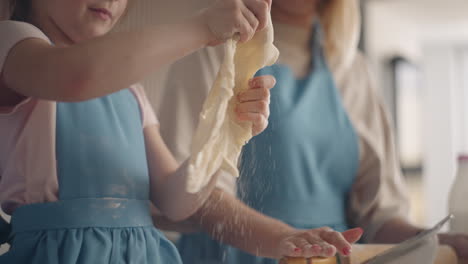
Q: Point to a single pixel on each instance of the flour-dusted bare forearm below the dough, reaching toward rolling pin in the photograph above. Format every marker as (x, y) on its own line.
(230, 221)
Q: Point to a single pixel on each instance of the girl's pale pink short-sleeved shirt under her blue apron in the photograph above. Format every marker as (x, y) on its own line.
(28, 172)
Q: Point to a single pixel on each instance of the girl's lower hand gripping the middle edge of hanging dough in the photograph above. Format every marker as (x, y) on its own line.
(254, 103)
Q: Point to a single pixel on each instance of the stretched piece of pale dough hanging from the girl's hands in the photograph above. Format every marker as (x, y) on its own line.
(219, 138)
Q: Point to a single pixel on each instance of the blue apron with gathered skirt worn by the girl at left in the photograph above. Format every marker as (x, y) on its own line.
(103, 214)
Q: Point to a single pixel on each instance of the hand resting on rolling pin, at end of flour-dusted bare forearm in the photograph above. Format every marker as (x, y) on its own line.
(321, 242)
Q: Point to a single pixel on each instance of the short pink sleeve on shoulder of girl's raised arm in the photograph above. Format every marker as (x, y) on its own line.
(12, 32)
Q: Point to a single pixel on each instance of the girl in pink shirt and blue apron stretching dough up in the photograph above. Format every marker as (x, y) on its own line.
(81, 157)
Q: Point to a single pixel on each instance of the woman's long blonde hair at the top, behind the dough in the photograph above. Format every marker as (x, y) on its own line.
(341, 22)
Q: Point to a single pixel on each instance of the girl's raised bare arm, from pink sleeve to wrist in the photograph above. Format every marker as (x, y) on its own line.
(99, 66)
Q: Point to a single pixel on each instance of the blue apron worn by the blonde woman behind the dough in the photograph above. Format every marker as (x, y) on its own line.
(301, 168)
